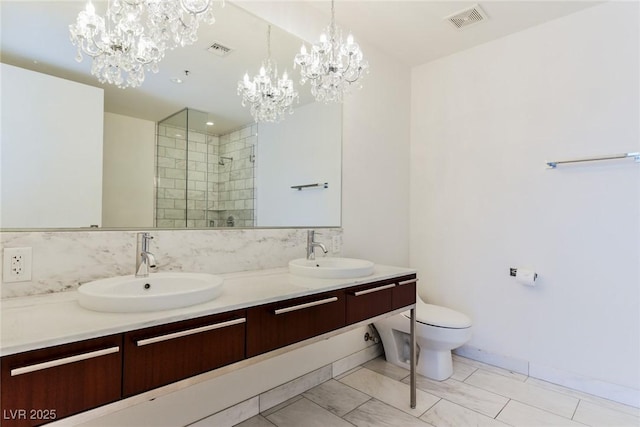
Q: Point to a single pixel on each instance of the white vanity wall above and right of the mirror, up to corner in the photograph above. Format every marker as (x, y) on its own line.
(375, 143)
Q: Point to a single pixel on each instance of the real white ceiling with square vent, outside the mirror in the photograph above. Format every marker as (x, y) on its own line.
(415, 32)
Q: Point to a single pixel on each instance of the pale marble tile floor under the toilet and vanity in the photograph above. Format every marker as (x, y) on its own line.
(376, 394)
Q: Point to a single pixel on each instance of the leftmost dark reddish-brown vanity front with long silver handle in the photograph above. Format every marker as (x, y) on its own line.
(44, 385)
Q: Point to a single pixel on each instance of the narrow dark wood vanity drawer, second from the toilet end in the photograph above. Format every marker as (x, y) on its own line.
(367, 301)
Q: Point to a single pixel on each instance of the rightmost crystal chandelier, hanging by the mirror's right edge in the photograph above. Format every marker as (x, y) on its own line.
(332, 66)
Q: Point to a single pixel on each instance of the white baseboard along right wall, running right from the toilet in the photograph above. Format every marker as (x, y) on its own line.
(606, 390)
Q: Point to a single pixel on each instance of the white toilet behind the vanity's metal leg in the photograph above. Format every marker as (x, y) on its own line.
(438, 331)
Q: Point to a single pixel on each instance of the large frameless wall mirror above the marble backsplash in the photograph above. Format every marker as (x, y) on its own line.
(180, 151)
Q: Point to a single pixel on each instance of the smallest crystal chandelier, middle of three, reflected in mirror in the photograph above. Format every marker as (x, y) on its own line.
(269, 97)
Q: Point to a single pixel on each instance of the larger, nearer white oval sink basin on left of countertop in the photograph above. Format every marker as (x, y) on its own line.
(159, 291)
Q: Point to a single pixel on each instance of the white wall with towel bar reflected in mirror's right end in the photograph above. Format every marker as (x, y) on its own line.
(303, 149)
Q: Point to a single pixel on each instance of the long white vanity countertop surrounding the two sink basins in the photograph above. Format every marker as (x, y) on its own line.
(34, 322)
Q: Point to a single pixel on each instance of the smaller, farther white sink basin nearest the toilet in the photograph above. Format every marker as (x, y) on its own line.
(331, 268)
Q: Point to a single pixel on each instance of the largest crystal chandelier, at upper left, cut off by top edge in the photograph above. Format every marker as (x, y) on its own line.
(134, 34)
